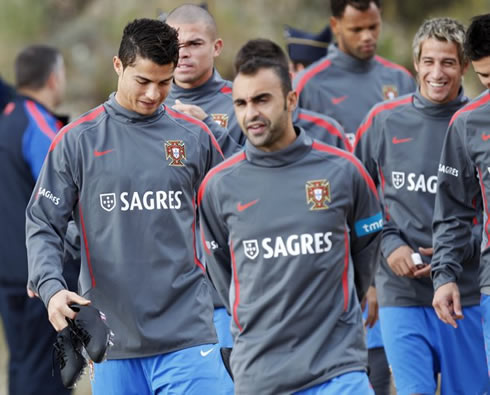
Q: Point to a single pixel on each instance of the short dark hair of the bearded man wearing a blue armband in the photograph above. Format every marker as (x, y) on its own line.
(260, 54)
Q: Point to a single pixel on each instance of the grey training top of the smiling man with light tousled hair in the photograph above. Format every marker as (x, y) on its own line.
(400, 142)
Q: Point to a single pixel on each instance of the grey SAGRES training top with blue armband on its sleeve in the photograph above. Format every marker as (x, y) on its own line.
(286, 233)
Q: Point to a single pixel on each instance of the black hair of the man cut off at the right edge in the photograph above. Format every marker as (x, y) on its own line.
(477, 39)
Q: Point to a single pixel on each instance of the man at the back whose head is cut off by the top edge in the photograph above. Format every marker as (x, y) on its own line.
(352, 78)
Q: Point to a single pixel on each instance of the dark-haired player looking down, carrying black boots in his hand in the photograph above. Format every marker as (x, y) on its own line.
(129, 171)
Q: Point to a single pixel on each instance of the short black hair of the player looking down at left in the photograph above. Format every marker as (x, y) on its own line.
(150, 39)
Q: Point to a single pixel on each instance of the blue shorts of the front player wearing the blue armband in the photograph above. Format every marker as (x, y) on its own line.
(352, 383)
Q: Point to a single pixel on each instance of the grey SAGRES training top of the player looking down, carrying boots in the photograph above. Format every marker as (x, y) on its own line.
(131, 181)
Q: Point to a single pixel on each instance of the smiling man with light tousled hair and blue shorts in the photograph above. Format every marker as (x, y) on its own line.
(400, 142)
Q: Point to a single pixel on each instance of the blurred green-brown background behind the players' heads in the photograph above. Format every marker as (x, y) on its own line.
(88, 32)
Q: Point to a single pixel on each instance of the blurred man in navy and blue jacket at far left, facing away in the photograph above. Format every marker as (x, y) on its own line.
(27, 128)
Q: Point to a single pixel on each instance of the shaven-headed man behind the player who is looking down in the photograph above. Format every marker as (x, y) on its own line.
(198, 89)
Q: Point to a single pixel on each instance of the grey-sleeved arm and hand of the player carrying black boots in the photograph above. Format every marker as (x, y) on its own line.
(47, 215)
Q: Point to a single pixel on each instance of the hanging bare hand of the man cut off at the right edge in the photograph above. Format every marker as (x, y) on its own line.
(447, 304)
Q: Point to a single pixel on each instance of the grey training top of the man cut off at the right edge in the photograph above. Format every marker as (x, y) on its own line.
(464, 176)
